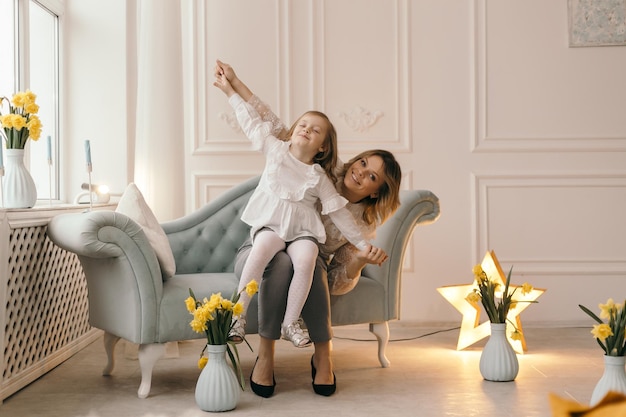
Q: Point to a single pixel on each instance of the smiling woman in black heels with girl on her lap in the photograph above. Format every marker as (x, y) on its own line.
(371, 183)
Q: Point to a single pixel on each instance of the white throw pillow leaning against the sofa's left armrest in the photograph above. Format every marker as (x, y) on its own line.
(133, 205)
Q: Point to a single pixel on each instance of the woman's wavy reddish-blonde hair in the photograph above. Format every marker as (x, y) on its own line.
(379, 209)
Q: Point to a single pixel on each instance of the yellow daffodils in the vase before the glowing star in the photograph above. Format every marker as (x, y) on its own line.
(497, 303)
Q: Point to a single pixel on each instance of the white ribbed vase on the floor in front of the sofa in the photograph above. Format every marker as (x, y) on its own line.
(217, 388)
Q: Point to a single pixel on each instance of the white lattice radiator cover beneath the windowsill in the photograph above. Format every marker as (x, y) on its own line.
(44, 311)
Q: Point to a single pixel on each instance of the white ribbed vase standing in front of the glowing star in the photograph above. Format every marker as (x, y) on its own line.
(498, 361)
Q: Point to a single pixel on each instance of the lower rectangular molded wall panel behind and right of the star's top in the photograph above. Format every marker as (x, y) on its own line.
(526, 218)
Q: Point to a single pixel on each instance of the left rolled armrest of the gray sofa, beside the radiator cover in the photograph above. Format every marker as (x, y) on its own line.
(122, 271)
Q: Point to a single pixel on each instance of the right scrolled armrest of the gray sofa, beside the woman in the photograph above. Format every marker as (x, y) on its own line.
(417, 207)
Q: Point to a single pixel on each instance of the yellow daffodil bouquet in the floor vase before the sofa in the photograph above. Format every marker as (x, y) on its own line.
(214, 317)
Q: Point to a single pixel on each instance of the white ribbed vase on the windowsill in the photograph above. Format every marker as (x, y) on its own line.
(18, 187)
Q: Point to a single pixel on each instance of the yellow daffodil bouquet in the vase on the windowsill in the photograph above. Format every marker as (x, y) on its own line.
(21, 122)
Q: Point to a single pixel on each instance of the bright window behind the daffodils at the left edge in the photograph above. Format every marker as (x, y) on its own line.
(30, 32)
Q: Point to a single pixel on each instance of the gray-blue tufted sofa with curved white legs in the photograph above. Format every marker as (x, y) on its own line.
(129, 299)
